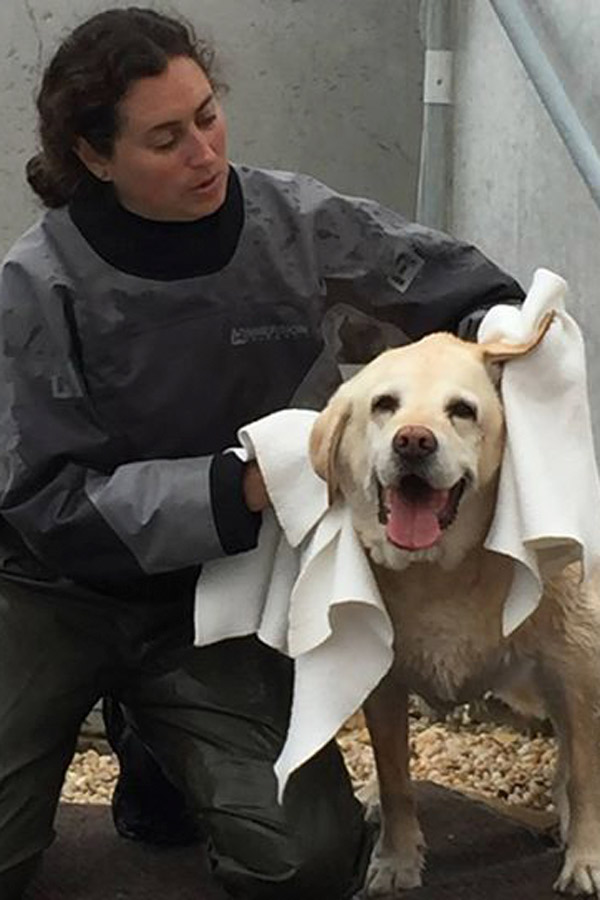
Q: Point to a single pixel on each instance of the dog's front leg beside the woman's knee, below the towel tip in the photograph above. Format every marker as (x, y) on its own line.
(398, 856)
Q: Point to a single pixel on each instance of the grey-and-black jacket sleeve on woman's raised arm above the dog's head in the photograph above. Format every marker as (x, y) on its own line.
(415, 278)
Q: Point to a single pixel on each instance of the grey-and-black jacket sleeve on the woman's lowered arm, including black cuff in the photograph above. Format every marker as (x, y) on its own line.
(67, 488)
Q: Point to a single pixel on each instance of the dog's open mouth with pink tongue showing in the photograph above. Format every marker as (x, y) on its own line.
(415, 514)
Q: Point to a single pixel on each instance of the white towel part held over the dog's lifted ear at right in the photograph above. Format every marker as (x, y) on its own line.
(548, 507)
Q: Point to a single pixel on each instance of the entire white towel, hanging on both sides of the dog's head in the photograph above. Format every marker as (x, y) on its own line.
(307, 589)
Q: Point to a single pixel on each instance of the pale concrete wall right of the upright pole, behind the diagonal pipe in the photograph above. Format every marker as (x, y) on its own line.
(516, 191)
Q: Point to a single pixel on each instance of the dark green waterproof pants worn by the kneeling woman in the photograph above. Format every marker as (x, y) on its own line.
(214, 718)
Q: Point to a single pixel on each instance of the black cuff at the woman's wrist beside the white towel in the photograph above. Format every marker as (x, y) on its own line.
(236, 525)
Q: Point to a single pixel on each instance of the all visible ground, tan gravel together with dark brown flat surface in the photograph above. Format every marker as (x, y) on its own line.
(500, 848)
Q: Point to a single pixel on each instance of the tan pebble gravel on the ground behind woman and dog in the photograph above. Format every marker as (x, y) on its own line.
(491, 760)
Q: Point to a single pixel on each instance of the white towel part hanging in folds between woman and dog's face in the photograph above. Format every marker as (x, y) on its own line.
(306, 590)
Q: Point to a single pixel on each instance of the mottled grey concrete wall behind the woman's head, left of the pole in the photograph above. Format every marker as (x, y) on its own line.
(330, 87)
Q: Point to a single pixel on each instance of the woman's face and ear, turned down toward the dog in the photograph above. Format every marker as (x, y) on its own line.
(170, 157)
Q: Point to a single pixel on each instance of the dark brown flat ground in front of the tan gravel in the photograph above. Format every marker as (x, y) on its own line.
(474, 852)
